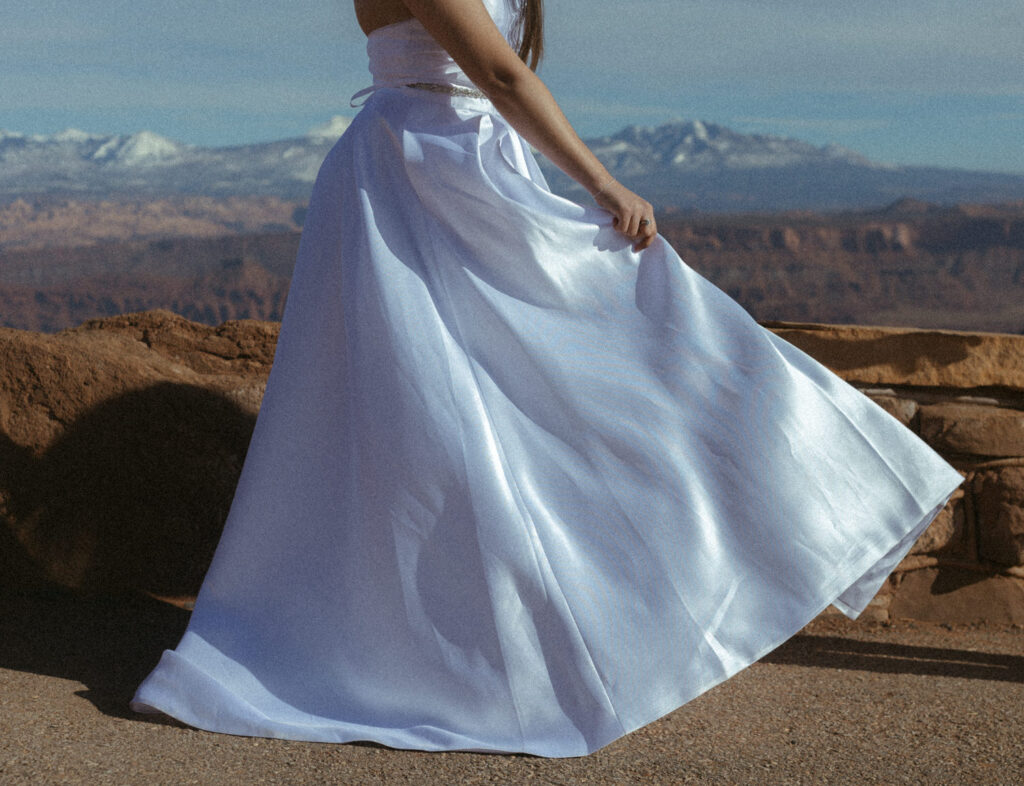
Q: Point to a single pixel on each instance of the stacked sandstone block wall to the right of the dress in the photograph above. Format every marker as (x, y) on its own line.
(964, 395)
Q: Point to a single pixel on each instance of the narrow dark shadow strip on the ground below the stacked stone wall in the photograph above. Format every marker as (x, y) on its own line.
(838, 652)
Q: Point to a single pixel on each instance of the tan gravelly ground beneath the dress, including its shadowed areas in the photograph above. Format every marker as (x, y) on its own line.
(842, 703)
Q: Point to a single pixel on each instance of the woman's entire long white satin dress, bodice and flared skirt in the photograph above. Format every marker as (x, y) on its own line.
(514, 487)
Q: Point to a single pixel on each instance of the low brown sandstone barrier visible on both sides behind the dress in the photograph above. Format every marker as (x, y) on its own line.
(121, 443)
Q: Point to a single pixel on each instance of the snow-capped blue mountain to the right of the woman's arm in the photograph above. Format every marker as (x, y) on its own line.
(703, 166)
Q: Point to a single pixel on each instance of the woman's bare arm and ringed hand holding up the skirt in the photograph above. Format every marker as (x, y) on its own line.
(466, 31)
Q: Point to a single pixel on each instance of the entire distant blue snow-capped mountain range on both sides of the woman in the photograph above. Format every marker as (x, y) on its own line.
(690, 165)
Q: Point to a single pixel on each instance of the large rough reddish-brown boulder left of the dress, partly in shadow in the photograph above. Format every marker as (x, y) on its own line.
(121, 443)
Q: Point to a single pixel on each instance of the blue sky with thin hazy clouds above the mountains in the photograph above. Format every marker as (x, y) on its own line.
(923, 82)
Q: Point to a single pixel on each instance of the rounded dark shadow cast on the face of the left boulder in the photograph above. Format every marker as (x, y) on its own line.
(134, 495)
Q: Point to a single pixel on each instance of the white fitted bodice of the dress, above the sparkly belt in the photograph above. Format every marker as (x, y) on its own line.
(405, 53)
